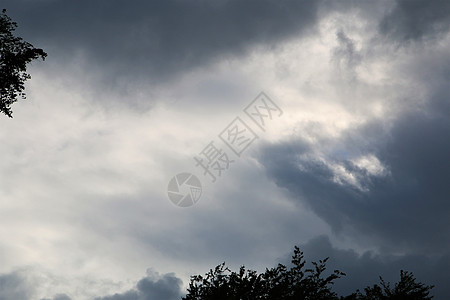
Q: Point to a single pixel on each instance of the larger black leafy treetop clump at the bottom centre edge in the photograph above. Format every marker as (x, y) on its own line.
(276, 283)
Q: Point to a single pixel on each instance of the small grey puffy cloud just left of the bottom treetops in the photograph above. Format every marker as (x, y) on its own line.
(167, 287)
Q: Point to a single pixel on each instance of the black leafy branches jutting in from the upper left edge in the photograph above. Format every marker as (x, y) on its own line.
(15, 54)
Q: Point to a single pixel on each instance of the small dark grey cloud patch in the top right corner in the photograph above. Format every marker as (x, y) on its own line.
(416, 19)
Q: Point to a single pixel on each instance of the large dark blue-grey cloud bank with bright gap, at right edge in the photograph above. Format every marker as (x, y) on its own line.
(406, 211)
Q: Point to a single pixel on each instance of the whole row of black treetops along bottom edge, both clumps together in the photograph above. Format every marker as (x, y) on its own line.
(296, 282)
